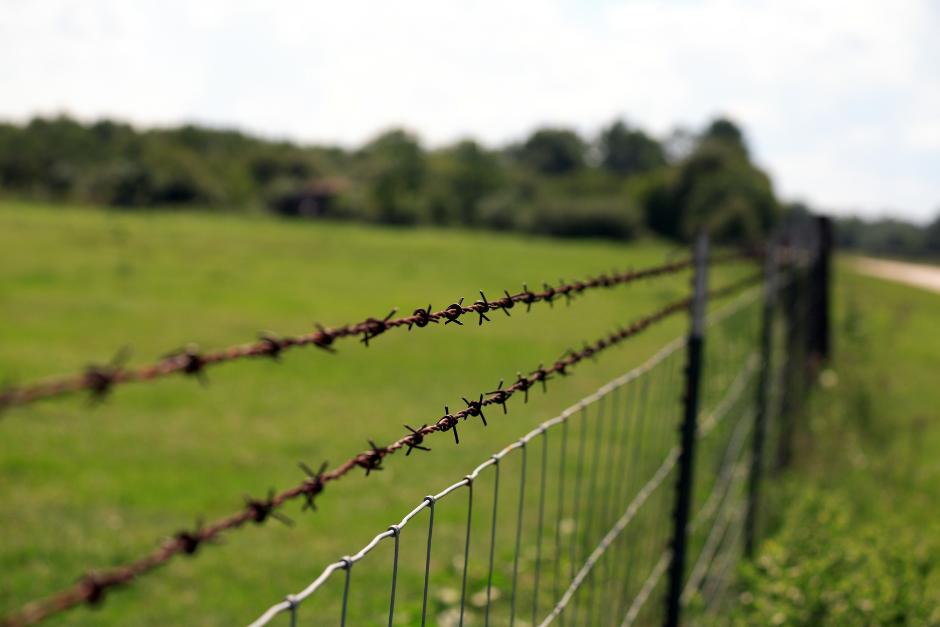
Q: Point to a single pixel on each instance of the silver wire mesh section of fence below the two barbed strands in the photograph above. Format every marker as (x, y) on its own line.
(572, 523)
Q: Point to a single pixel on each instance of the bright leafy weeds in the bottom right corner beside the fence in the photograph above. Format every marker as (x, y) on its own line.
(826, 567)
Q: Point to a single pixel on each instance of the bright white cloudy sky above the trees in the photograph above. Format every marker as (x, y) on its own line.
(840, 100)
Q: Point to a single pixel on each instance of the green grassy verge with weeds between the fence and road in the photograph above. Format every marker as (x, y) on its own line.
(858, 540)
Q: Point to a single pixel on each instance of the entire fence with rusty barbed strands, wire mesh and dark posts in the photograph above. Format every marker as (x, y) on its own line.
(575, 522)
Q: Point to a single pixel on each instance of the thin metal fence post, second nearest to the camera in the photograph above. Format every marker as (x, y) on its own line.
(763, 390)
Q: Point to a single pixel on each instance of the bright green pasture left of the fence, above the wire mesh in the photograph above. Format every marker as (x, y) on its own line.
(92, 486)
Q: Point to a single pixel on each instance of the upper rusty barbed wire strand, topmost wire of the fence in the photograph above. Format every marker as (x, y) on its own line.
(99, 380)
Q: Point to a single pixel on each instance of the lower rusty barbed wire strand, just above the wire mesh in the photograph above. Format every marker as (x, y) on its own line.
(92, 587)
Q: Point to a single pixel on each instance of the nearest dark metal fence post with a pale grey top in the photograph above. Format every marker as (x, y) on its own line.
(687, 431)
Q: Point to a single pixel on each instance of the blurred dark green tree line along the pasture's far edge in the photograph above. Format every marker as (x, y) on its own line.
(618, 184)
